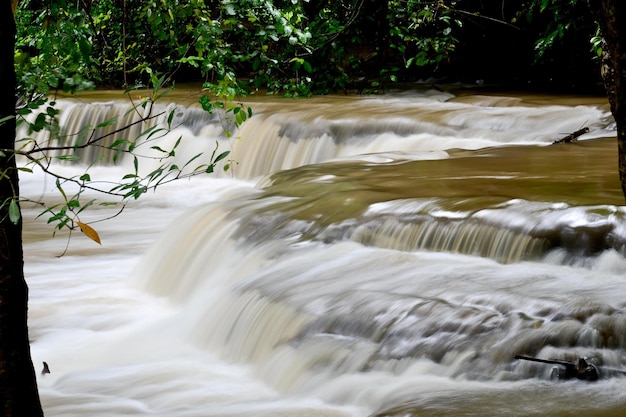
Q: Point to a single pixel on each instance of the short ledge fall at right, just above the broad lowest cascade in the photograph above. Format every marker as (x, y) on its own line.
(509, 233)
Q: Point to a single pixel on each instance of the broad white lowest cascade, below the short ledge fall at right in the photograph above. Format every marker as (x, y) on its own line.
(303, 313)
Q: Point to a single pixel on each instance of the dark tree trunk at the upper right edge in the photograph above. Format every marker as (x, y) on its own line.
(610, 14)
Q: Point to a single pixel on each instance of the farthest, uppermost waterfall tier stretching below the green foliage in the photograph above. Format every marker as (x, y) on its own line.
(306, 132)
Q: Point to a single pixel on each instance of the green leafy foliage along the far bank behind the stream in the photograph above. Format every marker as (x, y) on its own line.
(291, 47)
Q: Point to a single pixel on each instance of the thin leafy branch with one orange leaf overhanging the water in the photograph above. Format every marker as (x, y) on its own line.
(41, 115)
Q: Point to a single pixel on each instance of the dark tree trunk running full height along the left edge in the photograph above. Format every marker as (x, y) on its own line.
(18, 385)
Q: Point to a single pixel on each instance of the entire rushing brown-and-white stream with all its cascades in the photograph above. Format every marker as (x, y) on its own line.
(365, 256)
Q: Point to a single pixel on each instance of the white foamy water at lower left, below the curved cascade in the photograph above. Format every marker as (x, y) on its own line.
(114, 350)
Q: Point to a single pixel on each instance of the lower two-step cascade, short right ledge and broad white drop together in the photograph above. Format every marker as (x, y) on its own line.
(265, 286)
